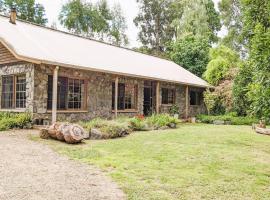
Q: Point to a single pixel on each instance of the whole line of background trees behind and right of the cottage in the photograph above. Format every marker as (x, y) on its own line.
(186, 31)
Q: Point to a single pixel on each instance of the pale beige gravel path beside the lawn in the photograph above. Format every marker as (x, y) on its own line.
(32, 171)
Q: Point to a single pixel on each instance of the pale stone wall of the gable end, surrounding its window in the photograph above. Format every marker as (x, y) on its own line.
(19, 69)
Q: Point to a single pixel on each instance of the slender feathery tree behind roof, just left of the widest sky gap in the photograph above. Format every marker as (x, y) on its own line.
(118, 27)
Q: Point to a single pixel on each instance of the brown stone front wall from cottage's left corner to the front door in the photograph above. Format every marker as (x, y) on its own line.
(99, 94)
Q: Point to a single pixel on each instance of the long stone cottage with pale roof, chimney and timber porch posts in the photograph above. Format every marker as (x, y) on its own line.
(59, 76)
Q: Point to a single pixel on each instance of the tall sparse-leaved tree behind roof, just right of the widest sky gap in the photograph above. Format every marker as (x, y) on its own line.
(154, 22)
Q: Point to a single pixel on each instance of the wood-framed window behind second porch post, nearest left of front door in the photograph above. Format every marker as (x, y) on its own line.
(127, 96)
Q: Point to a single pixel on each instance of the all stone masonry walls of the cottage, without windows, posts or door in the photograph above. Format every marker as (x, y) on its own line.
(99, 92)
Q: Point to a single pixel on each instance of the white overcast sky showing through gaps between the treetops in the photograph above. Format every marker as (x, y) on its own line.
(129, 7)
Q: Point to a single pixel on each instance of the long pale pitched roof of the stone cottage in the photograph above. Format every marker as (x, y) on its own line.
(44, 45)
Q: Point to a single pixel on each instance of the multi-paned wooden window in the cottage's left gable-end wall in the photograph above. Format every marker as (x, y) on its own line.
(13, 92)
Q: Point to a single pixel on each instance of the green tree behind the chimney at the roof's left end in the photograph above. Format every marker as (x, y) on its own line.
(27, 10)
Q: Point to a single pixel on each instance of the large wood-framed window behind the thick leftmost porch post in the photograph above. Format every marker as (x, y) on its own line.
(70, 93)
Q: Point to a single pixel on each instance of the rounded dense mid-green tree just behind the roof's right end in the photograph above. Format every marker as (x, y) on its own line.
(191, 53)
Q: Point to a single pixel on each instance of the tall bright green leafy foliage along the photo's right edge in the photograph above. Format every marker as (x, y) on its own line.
(260, 61)
